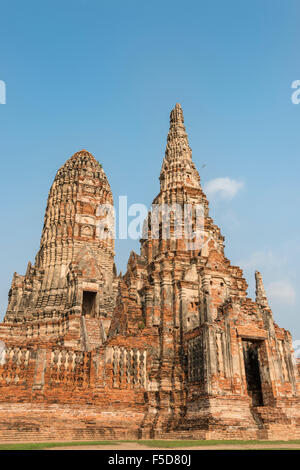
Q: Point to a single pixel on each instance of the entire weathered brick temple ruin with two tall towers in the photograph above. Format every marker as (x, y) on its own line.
(172, 349)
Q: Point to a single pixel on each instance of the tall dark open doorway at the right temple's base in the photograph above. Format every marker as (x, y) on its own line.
(252, 370)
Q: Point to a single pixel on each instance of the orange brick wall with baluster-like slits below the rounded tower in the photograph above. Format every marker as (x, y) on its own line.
(114, 376)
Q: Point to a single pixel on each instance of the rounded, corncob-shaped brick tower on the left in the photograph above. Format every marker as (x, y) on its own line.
(69, 245)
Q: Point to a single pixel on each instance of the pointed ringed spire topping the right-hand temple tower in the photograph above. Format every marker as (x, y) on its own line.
(178, 168)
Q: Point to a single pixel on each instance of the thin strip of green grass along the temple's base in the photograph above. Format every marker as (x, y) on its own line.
(150, 443)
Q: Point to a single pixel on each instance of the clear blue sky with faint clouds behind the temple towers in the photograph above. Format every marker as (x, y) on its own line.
(104, 76)
